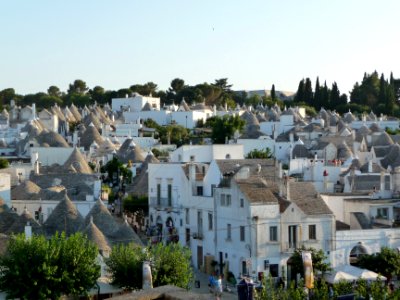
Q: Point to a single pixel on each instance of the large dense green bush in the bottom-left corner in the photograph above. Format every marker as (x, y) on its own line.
(37, 268)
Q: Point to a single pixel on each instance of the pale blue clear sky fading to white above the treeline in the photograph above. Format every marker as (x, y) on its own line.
(118, 43)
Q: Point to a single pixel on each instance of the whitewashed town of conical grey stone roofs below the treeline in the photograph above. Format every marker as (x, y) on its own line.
(330, 182)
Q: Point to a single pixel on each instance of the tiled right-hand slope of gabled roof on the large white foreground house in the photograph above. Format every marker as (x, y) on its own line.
(306, 197)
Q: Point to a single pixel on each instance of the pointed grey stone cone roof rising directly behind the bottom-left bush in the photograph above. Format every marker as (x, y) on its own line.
(65, 217)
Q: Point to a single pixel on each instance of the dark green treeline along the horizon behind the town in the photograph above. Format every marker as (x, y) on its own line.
(373, 93)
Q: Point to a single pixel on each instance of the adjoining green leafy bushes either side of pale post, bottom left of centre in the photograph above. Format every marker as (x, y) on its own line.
(170, 264)
